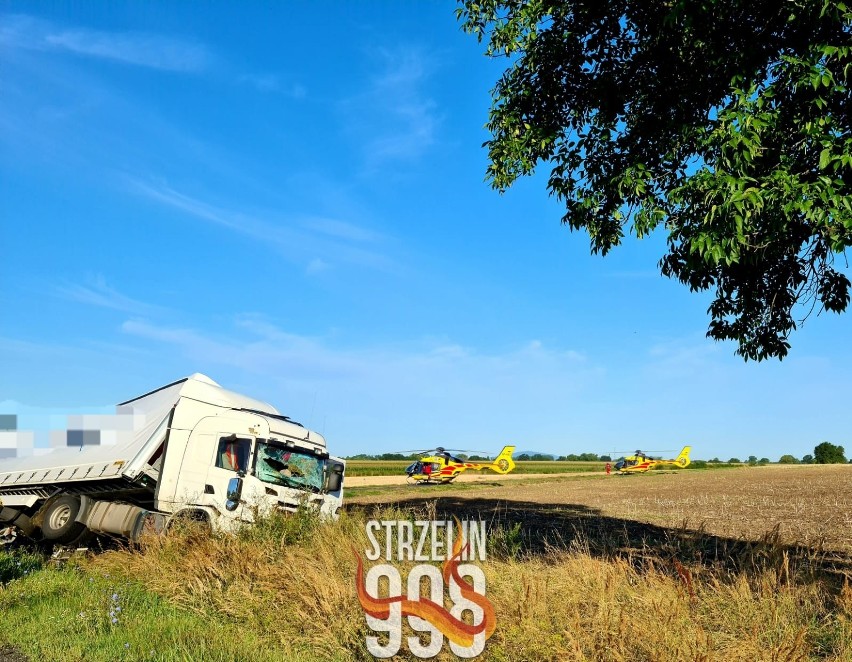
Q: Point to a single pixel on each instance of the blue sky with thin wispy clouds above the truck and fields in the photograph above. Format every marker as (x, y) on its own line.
(289, 198)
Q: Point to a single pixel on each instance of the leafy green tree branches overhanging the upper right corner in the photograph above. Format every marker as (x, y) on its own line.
(726, 122)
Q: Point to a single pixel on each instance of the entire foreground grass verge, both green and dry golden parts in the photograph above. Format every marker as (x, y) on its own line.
(285, 589)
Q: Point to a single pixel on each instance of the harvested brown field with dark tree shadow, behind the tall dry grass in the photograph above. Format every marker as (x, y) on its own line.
(805, 511)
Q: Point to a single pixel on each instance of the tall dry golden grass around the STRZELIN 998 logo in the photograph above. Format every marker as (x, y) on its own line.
(292, 581)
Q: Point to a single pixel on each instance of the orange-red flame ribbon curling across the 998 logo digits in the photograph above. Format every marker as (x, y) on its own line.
(456, 630)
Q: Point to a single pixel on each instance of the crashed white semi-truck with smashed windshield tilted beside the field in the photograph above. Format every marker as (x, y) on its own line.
(188, 450)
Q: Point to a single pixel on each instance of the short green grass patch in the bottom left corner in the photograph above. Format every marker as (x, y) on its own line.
(67, 615)
